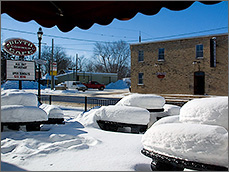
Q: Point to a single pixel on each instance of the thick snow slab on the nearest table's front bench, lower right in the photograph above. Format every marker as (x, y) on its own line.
(194, 142)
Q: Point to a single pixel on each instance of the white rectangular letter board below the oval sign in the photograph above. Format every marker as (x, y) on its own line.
(20, 70)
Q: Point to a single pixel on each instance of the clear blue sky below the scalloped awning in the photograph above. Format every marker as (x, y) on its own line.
(199, 19)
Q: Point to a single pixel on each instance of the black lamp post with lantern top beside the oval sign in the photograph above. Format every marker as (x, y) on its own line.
(39, 35)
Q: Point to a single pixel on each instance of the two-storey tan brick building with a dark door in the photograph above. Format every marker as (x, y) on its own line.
(197, 65)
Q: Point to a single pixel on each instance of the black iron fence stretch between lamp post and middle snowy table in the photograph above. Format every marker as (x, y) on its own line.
(86, 102)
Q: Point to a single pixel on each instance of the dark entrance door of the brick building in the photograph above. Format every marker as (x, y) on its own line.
(199, 83)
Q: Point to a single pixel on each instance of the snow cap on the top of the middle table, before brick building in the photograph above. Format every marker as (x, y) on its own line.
(148, 101)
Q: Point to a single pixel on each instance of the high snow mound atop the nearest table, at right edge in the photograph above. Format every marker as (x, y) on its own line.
(212, 111)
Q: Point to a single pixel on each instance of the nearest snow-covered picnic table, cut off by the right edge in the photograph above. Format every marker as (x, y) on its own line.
(196, 139)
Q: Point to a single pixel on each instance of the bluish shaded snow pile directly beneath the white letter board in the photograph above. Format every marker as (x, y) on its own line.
(25, 85)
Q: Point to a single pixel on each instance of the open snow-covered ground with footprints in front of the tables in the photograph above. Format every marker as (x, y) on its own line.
(72, 147)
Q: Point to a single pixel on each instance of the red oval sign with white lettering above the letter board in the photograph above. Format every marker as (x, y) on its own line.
(19, 47)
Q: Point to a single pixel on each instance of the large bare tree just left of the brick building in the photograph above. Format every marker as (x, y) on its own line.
(112, 57)
